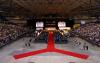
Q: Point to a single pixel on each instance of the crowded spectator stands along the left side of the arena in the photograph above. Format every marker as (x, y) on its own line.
(9, 32)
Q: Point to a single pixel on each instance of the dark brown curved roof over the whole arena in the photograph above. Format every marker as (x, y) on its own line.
(45, 7)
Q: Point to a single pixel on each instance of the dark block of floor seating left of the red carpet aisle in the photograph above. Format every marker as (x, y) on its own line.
(42, 38)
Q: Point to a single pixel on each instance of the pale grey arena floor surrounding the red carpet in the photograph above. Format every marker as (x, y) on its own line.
(7, 52)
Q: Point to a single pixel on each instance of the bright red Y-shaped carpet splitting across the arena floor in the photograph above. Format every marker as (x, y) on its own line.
(51, 48)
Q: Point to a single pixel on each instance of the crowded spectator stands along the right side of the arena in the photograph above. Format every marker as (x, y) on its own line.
(89, 32)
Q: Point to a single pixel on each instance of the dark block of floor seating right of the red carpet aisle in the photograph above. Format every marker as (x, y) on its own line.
(58, 38)
